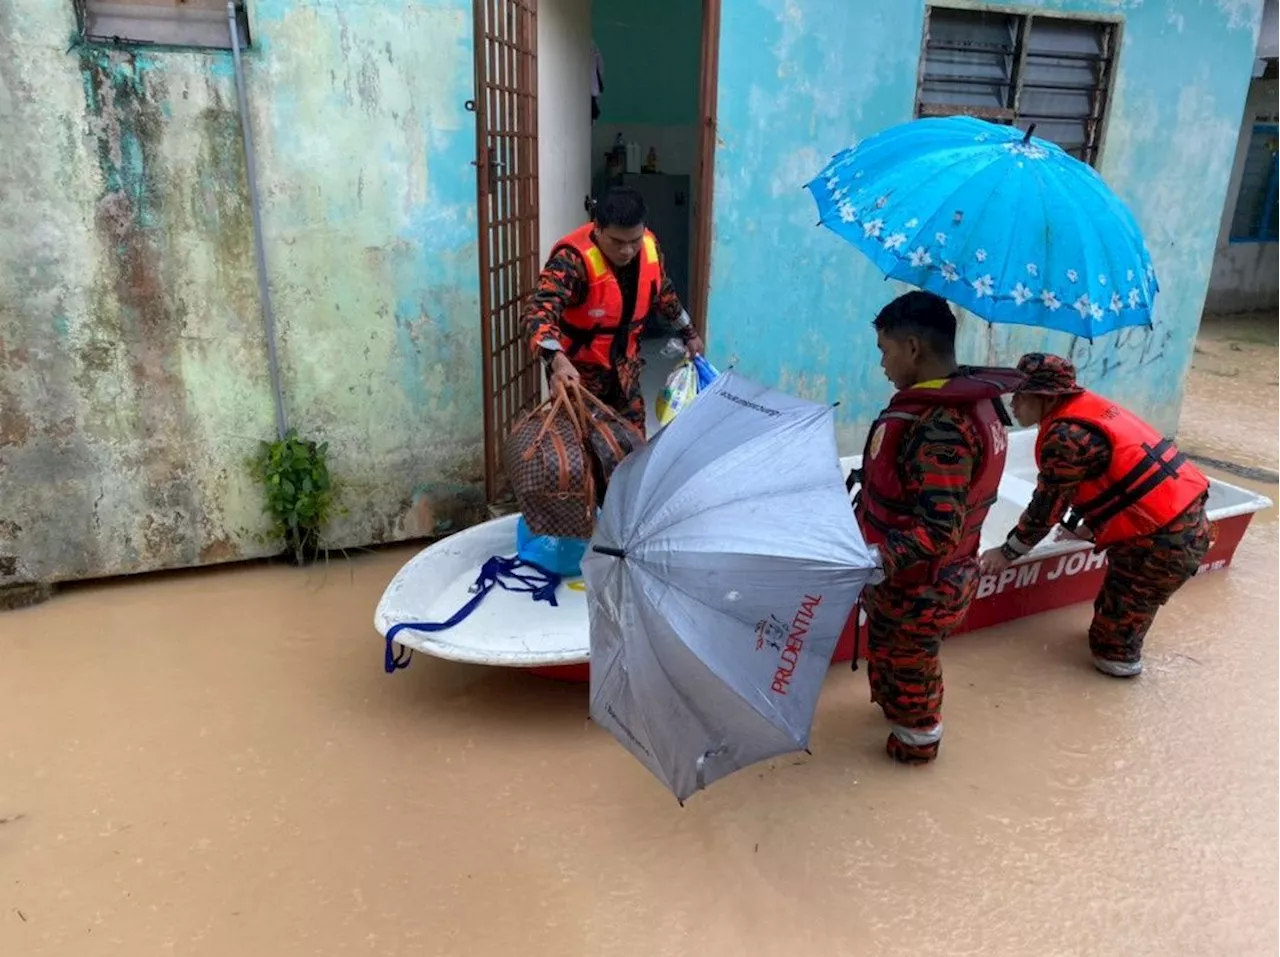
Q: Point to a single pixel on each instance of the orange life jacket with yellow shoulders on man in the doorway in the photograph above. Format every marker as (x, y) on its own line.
(588, 331)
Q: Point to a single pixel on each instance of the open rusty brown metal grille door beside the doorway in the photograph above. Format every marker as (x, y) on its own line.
(506, 106)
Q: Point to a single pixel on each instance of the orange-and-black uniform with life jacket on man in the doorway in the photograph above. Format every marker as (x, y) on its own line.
(596, 314)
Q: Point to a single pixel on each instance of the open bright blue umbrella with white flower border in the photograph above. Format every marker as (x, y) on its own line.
(1000, 223)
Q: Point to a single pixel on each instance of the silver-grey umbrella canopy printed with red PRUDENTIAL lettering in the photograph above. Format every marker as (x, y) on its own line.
(725, 565)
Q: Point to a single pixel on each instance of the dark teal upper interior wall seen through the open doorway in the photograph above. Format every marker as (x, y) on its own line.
(652, 56)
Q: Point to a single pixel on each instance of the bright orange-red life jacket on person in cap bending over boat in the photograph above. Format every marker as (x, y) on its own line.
(1149, 483)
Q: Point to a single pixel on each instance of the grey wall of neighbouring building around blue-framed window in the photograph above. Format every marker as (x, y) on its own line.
(1246, 276)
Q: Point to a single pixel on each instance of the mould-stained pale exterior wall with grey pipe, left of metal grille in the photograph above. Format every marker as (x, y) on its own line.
(132, 360)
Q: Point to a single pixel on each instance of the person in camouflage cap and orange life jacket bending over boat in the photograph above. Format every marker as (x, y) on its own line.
(1127, 488)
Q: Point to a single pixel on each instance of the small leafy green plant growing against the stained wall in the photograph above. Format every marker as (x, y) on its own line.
(295, 477)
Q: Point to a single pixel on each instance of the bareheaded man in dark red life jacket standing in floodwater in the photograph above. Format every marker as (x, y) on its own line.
(931, 471)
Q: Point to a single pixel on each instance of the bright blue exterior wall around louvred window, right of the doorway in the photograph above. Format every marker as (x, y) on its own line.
(802, 80)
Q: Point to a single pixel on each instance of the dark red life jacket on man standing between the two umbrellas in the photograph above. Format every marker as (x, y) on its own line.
(885, 503)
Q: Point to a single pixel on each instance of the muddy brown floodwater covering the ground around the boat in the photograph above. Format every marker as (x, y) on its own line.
(214, 764)
